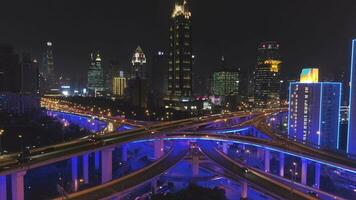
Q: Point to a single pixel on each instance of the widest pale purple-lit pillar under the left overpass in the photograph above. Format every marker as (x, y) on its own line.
(106, 165)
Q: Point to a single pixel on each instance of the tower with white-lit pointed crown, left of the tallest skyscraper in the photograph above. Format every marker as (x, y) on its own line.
(138, 64)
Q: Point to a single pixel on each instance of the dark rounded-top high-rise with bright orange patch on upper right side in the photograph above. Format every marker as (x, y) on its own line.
(267, 75)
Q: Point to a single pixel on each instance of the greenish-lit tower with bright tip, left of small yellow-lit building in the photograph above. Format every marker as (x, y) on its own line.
(95, 75)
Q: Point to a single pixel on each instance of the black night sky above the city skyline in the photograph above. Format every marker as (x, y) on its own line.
(310, 32)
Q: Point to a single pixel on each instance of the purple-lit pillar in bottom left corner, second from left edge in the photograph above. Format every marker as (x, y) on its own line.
(17, 184)
